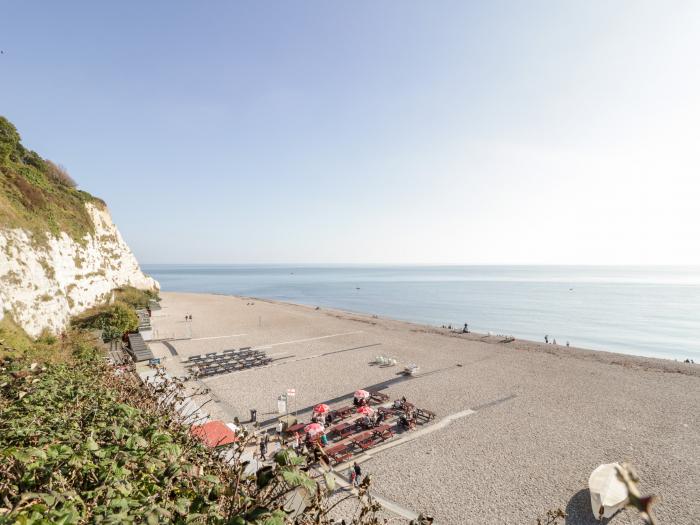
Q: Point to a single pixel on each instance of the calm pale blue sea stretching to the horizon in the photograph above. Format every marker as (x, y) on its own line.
(651, 311)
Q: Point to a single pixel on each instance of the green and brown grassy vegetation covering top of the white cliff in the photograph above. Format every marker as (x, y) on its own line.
(37, 194)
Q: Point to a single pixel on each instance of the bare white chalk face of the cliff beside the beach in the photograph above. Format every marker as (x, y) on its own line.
(43, 284)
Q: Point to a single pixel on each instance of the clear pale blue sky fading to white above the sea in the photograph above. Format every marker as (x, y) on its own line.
(380, 132)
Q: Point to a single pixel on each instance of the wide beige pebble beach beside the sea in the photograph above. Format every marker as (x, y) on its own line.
(519, 425)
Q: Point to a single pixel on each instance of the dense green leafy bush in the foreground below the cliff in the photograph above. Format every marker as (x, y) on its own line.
(88, 443)
